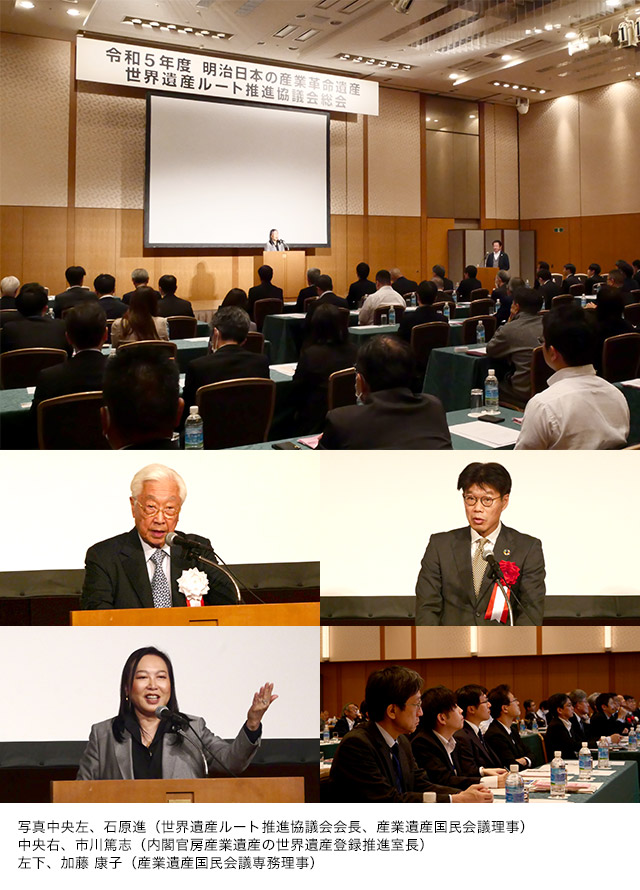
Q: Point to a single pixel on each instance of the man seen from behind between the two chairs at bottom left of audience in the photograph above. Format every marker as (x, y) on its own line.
(141, 395)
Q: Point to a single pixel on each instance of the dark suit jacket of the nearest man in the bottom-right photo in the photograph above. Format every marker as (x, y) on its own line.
(362, 770)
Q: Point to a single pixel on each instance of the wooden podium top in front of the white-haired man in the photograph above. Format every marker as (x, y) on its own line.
(267, 614)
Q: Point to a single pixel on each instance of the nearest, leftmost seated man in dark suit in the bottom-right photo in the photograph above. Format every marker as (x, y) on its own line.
(374, 763)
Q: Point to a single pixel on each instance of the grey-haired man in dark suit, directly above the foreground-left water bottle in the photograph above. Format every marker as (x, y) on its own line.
(229, 359)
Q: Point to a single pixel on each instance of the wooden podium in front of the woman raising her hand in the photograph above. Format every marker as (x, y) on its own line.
(280, 789)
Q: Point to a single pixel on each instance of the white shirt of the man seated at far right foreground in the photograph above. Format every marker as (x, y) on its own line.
(578, 410)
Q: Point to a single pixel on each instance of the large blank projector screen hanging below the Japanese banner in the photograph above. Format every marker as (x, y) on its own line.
(222, 174)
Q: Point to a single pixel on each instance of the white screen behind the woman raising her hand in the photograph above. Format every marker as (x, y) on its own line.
(217, 670)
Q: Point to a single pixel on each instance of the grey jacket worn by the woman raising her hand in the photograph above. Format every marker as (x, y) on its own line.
(105, 758)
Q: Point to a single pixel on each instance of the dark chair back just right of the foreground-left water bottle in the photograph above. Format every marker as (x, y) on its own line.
(236, 412)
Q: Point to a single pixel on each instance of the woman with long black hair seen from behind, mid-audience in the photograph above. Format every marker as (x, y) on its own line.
(326, 350)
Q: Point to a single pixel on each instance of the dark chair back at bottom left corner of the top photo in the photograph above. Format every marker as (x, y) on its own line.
(71, 422)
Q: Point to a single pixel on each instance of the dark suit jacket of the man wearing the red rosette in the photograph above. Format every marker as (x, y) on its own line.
(444, 590)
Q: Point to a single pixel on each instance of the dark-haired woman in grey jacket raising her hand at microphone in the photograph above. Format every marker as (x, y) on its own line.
(147, 738)
